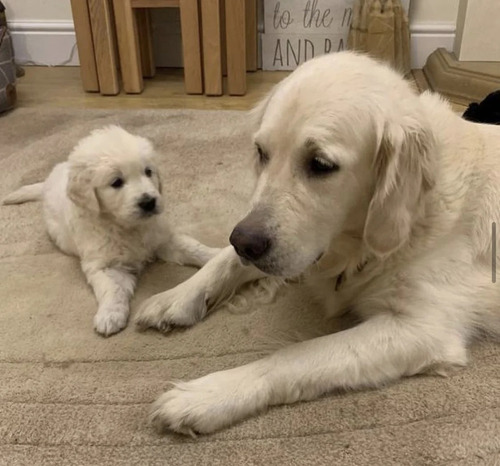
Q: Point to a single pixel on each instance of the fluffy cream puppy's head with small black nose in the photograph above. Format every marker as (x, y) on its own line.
(112, 172)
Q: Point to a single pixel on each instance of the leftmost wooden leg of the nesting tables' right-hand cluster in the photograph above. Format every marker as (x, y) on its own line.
(191, 46)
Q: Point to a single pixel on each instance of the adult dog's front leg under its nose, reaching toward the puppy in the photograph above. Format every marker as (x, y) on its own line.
(190, 301)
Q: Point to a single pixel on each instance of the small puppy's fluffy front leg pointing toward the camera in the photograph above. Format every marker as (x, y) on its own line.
(113, 289)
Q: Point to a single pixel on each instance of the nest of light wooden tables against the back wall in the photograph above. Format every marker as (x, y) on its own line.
(229, 43)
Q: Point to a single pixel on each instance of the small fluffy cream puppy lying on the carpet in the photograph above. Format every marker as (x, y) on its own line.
(103, 206)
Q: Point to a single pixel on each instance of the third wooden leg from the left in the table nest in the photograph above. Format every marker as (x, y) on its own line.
(128, 45)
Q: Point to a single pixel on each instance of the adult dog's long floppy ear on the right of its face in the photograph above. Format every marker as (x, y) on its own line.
(403, 172)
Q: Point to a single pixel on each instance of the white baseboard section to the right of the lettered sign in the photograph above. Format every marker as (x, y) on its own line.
(427, 37)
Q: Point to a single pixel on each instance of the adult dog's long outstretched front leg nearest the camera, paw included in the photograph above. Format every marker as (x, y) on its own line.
(375, 352)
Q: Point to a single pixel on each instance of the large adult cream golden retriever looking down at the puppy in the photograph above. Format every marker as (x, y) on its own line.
(385, 200)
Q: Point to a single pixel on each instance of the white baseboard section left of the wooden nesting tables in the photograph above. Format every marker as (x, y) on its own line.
(46, 43)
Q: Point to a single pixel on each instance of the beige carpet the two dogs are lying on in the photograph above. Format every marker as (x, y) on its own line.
(69, 397)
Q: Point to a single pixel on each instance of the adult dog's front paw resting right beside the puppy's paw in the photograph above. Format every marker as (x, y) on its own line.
(180, 307)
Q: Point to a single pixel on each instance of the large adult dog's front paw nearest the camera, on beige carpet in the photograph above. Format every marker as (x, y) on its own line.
(210, 403)
